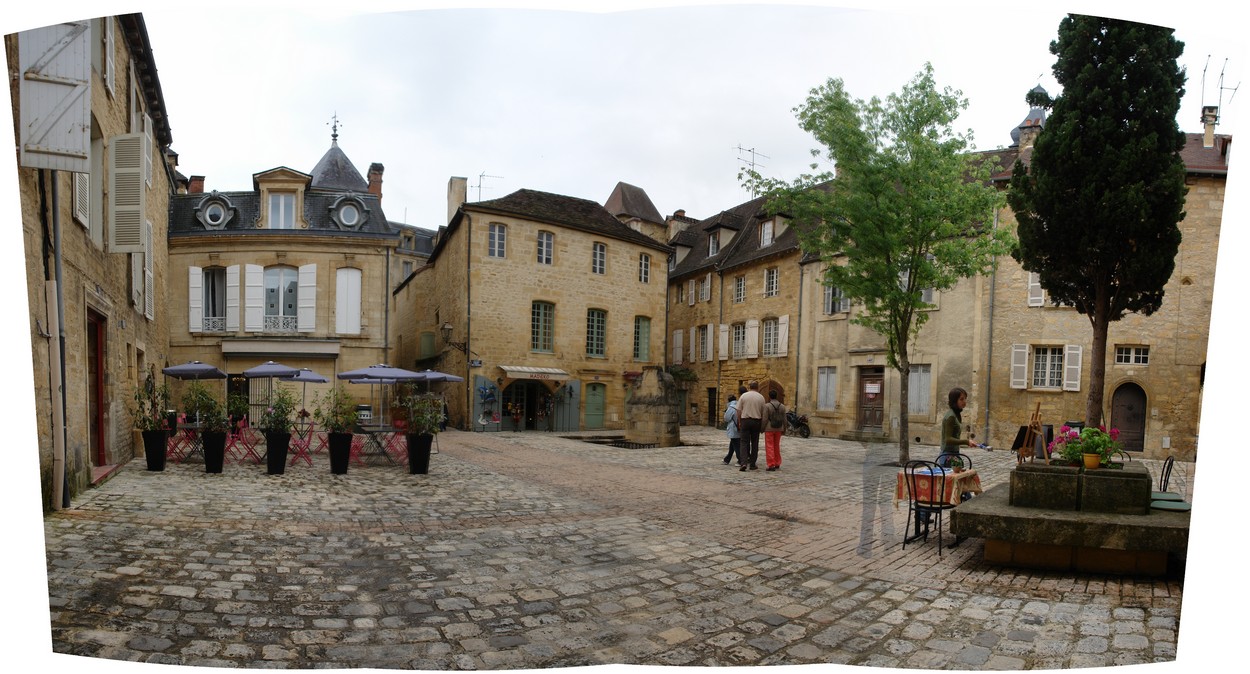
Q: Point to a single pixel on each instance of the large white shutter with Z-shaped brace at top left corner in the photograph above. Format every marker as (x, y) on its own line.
(56, 91)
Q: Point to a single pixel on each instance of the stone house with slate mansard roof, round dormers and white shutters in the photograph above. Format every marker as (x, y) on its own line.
(298, 271)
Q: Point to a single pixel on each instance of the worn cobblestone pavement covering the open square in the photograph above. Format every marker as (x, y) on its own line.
(534, 551)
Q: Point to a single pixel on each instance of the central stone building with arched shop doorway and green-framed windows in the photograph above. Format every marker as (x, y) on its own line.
(548, 306)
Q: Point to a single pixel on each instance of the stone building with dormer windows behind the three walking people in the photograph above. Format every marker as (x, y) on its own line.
(734, 301)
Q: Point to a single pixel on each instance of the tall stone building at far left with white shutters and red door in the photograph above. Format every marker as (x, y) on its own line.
(94, 187)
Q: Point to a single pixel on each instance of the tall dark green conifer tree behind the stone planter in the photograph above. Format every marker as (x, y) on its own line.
(1099, 203)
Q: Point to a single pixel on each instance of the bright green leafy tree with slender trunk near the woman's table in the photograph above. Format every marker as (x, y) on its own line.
(909, 211)
